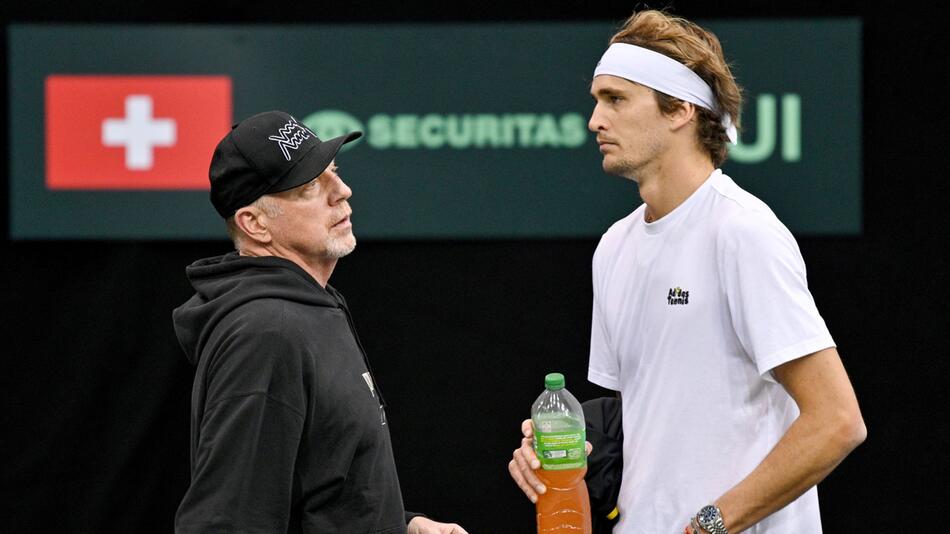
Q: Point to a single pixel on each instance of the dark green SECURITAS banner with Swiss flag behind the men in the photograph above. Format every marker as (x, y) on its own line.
(472, 130)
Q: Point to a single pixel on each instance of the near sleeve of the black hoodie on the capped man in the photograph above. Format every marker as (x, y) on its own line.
(248, 436)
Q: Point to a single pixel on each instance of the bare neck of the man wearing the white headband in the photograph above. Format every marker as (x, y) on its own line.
(670, 181)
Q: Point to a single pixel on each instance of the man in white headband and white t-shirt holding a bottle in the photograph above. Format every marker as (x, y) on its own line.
(735, 401)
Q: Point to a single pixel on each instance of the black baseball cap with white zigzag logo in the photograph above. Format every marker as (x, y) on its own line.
(267, 153)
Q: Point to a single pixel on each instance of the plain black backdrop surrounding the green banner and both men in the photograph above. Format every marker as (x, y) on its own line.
(96, 390)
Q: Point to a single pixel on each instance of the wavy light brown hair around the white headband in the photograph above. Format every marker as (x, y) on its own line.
(700, 50)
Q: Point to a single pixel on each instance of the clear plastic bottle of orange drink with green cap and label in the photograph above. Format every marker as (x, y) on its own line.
(559, 436)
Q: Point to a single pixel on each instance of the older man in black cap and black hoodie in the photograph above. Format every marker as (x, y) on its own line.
(288, 427)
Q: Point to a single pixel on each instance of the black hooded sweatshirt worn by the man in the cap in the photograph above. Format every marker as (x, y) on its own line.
(288, 431)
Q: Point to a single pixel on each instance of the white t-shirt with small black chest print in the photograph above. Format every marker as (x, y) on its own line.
(691, 313)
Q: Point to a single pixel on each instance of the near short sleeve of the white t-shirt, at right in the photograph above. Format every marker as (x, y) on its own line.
(763, 275)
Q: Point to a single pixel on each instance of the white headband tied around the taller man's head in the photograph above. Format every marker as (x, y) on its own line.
(663, 74)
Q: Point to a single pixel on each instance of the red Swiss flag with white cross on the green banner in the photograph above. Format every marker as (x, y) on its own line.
(134, 132)
